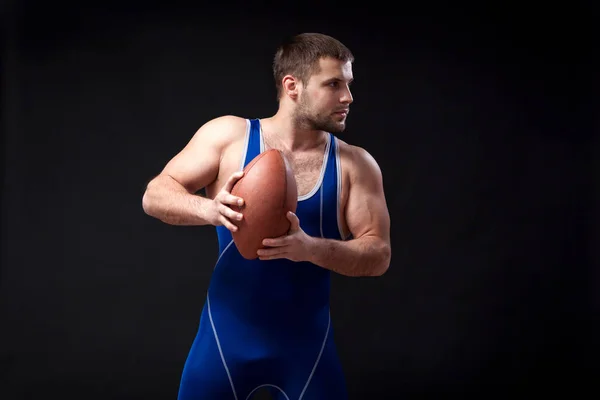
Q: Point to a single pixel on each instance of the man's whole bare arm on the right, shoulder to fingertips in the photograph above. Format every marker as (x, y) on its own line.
(368, 253)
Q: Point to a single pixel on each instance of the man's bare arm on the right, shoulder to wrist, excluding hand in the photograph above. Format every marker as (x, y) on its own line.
(369, 252)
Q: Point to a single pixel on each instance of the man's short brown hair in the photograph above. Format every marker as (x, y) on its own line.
(299, 56)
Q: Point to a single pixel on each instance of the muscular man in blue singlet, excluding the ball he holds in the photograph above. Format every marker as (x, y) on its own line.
(266, 322)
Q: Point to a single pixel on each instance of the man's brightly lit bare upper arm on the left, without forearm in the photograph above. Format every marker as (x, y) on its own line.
(197, 164)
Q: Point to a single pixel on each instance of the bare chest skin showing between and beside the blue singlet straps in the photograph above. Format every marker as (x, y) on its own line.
(306, 164)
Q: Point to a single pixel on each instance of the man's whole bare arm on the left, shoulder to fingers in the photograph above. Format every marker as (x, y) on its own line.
(171, 196)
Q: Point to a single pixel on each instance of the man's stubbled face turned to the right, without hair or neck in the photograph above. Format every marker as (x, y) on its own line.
(325, 99)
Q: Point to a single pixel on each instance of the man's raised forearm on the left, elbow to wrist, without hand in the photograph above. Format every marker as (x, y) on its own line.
(166, 200)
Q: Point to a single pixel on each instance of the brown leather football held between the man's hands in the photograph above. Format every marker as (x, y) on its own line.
(269, 190)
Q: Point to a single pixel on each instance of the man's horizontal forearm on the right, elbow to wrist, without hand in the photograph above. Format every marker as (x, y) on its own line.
(365, 256)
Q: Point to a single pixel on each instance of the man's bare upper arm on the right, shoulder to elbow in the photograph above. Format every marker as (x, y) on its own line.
(366, 209)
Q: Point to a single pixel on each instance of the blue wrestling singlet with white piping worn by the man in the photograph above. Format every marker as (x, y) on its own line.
(267, 323)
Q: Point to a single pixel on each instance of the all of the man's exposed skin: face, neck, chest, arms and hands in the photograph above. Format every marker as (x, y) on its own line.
(307, 110)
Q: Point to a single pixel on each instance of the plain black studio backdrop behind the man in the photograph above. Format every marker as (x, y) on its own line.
(478, 123)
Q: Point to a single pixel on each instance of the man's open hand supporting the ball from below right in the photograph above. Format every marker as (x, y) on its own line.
(296, 245)
